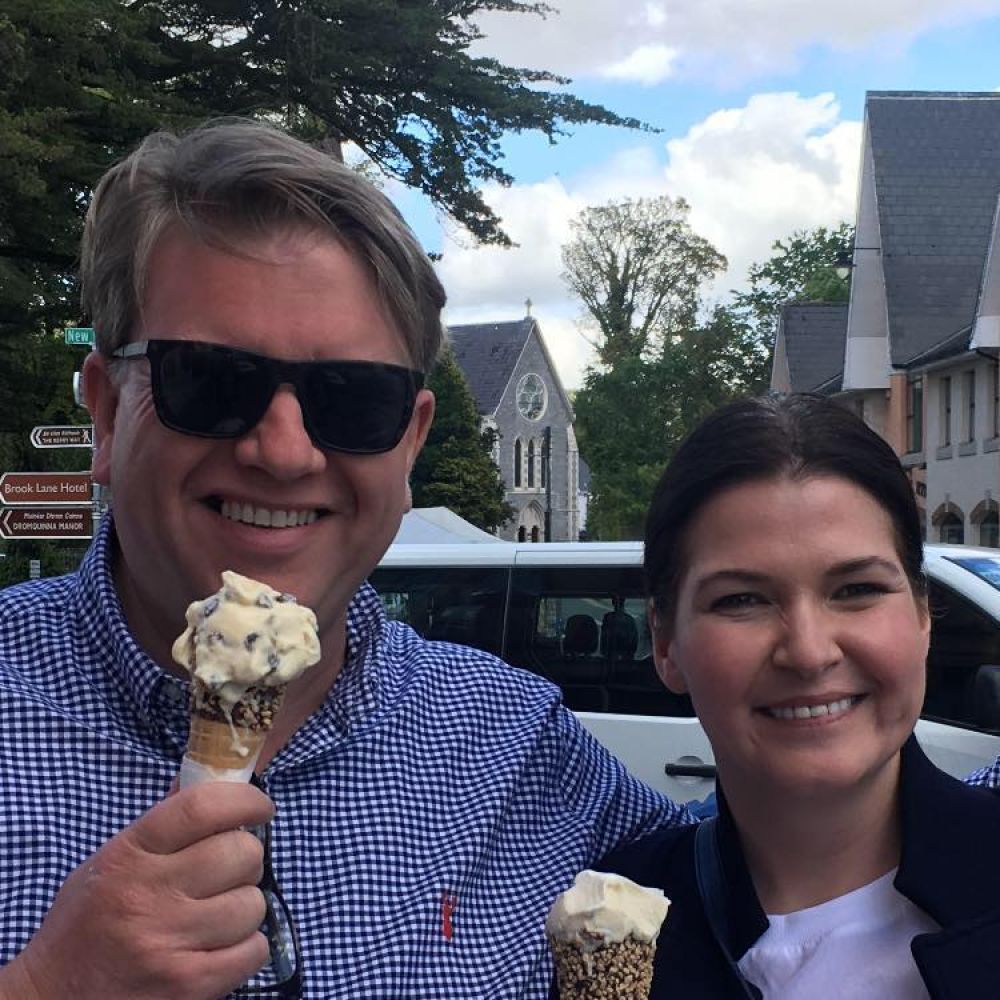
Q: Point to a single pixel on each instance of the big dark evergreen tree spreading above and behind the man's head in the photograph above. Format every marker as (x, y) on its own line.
(82, 80)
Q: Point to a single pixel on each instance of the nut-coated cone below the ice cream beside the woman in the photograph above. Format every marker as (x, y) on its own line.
(619, 970)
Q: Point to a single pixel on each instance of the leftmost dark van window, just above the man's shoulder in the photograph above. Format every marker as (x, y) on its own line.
(454, 605)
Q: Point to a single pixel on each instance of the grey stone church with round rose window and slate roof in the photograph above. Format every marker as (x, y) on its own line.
(518, 393)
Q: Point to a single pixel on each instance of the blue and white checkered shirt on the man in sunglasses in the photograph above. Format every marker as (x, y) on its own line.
(427, 814)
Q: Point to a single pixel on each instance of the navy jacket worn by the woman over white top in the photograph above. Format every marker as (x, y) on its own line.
(948, 868)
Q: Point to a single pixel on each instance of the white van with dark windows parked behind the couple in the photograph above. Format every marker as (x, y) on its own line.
(575, 613)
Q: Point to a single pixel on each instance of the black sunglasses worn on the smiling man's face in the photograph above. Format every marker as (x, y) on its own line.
(359, 407)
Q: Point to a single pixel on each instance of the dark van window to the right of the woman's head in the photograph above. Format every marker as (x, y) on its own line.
(963, 665)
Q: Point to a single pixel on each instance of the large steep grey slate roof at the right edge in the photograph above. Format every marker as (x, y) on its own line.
(937, 177)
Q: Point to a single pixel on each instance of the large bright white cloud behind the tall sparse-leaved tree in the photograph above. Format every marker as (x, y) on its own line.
(751, 174)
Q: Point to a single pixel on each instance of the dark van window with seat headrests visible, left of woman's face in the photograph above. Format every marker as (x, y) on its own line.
(587, 632)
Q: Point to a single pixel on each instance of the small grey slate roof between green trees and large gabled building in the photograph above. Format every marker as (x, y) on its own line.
(814, 333)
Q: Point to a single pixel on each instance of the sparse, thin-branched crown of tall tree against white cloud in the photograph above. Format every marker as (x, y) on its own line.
(637, 266)
